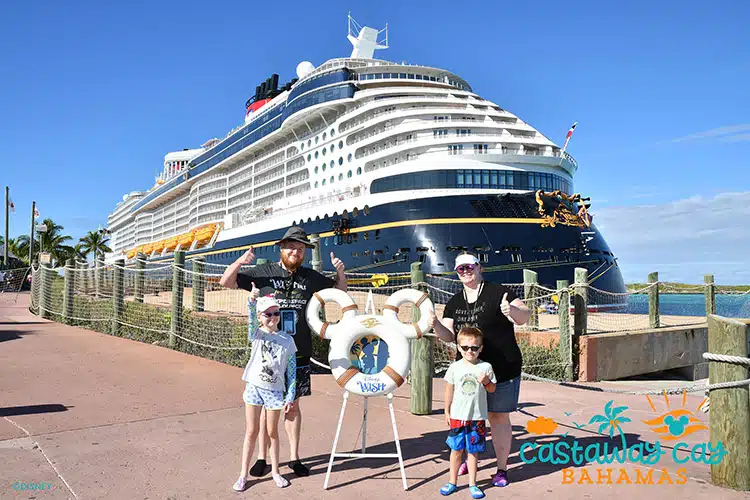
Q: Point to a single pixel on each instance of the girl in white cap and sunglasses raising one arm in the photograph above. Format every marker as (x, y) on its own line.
(270, 377)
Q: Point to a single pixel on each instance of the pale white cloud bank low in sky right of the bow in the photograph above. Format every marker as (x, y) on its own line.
(683, 239)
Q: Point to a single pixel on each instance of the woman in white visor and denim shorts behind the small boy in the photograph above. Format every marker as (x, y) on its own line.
(494, 309)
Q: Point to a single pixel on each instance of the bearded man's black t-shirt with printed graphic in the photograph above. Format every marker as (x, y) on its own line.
(293, 291)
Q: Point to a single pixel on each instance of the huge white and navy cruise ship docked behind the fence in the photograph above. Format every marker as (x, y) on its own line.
(389, 163)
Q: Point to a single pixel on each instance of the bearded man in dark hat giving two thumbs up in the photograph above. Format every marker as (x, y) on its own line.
(293, 287)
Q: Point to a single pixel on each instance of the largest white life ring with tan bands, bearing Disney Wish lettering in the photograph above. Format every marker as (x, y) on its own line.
(348, 376)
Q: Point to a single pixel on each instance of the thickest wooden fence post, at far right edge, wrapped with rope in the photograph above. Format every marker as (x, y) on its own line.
(730, 408)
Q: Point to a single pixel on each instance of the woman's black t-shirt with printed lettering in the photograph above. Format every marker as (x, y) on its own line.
(500, 346)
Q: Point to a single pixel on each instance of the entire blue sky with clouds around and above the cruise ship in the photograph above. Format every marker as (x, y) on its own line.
(94, 94)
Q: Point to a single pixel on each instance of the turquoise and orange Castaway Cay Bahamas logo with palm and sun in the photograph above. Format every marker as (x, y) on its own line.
(608, 457)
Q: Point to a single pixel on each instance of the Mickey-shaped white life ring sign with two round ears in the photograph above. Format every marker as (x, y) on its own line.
(369, 354)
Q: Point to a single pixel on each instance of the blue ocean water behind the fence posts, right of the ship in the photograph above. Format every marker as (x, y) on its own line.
(730, 306)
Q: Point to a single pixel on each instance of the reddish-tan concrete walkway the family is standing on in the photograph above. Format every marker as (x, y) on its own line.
(102, 417)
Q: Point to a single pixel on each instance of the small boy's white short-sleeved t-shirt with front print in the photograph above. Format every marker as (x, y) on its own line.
(469, 395)
